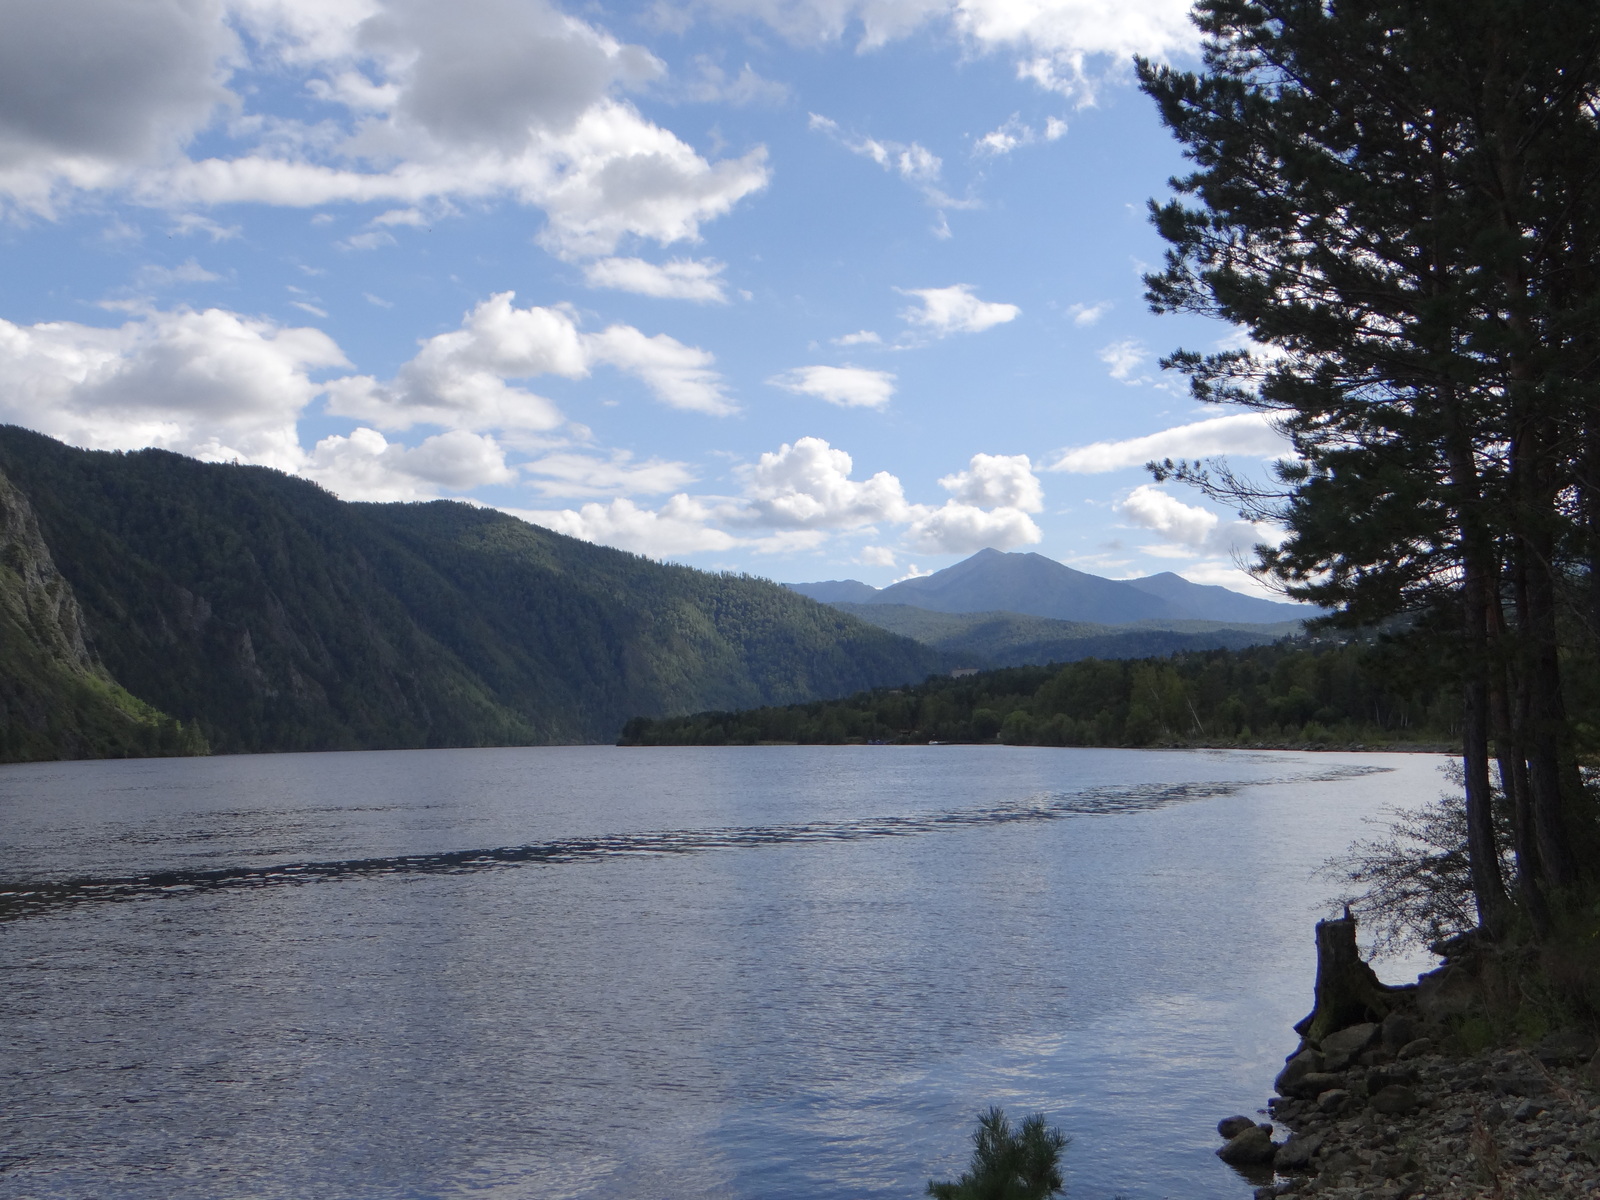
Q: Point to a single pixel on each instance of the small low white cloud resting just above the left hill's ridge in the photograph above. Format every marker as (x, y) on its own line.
(366, 466)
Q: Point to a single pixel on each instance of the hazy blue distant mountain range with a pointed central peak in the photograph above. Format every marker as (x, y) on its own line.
(1031, 585)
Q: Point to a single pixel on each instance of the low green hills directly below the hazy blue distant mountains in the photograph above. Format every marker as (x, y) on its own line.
(1018, 639)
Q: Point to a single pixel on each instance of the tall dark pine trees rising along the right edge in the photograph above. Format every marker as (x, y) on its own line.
(1401, 204)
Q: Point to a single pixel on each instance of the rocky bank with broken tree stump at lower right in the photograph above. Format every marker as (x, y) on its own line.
(1391, 1106)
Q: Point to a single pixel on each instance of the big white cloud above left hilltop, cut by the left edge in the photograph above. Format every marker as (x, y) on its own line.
(212, 385)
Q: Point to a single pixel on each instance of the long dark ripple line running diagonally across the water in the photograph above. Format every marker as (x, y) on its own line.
(28, 900)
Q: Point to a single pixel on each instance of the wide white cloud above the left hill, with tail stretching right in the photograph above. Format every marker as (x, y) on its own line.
(462, 380)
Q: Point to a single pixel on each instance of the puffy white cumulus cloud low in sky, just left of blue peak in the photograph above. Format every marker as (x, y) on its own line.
(807, 486)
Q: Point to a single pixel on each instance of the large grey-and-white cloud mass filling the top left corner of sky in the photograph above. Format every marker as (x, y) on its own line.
(428, 102)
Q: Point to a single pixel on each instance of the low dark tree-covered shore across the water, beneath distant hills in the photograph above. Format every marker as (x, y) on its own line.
(1292, 694)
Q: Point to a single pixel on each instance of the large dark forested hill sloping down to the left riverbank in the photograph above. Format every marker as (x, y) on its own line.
(270, 615)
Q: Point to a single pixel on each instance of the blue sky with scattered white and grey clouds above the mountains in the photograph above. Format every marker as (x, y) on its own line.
(804, 289)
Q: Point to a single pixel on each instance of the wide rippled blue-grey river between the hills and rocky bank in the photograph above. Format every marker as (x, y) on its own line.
(758, 974)
